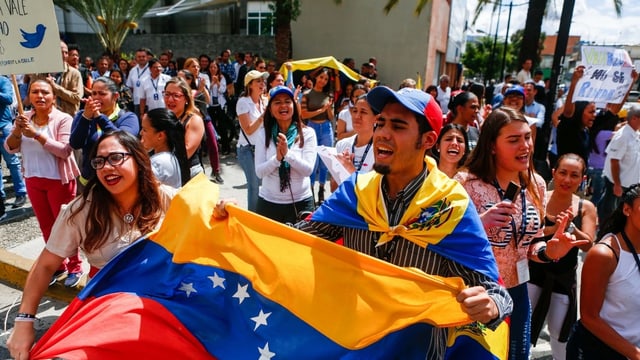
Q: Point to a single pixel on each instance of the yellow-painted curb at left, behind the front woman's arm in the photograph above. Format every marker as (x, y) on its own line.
(15, 268)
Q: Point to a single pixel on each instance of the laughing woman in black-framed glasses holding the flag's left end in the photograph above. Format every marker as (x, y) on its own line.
(120, 204)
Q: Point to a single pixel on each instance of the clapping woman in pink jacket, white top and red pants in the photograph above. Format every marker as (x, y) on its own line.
(50, 169)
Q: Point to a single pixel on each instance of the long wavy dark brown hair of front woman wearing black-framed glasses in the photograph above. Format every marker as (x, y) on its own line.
(99, 224)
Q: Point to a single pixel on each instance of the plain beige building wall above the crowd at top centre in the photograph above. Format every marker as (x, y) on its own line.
(360, 29)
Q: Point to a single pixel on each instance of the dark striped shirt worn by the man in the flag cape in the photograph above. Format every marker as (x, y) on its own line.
(404, 253)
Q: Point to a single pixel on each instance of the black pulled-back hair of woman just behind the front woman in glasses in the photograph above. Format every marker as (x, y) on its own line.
(165, 120)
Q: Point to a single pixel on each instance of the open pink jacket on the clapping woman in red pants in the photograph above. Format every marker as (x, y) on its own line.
(60, 125)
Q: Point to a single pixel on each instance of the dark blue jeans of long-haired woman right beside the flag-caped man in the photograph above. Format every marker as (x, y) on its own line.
(520, 329)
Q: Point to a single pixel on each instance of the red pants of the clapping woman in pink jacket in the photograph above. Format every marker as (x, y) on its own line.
(47, 196)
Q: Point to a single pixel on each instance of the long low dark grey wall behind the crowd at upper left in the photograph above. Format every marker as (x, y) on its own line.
(184, 45)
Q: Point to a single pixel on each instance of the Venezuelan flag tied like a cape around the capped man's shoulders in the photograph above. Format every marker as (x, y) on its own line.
(442, 218)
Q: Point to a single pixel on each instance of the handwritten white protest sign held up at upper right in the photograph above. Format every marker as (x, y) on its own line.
(607, 75)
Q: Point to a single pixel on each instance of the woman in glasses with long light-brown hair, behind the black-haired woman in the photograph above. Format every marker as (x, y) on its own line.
(179, 99)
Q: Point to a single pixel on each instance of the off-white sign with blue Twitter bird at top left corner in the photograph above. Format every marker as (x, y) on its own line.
(29, 38)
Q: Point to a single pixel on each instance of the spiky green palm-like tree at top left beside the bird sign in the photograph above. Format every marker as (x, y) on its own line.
(110, 19)
